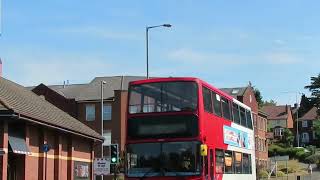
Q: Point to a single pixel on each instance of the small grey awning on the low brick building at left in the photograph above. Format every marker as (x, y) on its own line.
(18, 144)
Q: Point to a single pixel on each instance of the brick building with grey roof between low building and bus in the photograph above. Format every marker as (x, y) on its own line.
(83, 101)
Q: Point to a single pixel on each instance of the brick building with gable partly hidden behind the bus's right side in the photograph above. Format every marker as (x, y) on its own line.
(246, 96)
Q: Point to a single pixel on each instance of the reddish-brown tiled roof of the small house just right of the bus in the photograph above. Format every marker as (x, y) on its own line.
(276, 112)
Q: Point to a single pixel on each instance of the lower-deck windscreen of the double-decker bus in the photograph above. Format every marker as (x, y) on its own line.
(163, 159)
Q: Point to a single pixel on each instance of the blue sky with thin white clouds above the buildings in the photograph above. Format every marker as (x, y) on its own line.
(273, 44)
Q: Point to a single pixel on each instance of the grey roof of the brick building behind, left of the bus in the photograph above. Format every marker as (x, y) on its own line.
(91, 91)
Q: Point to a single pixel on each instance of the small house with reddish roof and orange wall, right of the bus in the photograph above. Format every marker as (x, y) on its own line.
(279, 118)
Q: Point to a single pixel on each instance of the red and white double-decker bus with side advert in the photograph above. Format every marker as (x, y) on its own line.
(184, 128)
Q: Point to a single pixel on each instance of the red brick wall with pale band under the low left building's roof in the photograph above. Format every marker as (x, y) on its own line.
(66, 149)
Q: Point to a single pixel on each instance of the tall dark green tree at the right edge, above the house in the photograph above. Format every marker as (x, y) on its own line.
(314, 88)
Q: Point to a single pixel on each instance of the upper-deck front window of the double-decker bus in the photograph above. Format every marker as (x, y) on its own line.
(163, 97)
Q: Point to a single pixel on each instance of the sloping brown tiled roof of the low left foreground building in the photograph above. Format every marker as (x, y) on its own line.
(24, 102)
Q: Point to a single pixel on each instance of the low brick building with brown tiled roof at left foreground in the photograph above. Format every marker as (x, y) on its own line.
(28, 124)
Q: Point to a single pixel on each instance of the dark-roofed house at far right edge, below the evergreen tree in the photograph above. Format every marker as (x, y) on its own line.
(305, 130)
